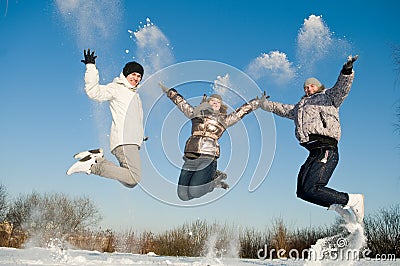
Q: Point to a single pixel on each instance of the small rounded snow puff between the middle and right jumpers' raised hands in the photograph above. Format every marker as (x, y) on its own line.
(274, 65)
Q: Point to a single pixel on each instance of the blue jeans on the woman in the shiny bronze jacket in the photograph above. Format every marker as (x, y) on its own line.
(195, 178)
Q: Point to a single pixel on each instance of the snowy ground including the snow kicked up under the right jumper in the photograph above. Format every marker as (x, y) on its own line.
(334, 250)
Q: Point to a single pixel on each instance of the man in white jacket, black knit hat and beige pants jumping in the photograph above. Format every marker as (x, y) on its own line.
(126, 135)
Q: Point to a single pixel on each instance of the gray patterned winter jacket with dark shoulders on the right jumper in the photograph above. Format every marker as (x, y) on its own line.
(318, 113)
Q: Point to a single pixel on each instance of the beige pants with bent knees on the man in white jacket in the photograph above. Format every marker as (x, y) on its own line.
(129, 171)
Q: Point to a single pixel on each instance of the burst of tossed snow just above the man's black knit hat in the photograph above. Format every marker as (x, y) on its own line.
(153, 47)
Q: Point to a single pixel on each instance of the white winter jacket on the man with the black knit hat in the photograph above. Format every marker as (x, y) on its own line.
(125, 105)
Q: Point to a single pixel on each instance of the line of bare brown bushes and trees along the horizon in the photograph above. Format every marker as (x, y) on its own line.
(42, 219)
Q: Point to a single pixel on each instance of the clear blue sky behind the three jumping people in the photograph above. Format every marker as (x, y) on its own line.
(46, 117)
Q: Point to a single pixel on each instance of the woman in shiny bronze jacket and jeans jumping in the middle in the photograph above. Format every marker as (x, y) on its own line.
(199, 174)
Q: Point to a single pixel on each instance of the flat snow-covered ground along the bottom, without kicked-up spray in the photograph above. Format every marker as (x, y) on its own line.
(54, 256)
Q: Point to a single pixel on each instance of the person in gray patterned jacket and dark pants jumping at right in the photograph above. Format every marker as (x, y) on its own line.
(316, 118)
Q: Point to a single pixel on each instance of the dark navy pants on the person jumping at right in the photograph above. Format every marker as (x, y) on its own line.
(314, 176)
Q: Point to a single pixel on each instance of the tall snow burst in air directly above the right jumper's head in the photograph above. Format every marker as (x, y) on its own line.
(313, 41)
